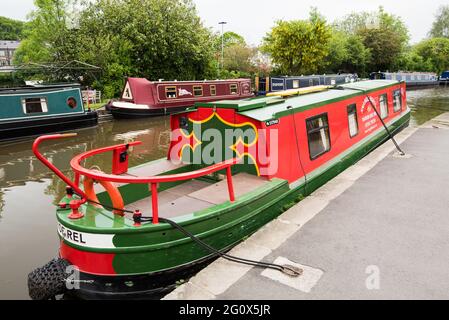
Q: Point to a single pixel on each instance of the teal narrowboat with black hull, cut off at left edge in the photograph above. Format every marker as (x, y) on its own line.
(30, 111)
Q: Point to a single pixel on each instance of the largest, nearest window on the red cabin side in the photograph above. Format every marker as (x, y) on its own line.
(318, 136)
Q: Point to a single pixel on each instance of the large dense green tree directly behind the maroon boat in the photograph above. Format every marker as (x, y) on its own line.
(120, 37)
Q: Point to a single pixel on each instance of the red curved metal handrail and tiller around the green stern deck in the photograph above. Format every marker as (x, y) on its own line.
(153, 181)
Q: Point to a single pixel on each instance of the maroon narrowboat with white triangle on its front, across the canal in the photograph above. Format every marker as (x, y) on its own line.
(143, 98)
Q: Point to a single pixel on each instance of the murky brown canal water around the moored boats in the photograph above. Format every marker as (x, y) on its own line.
(29, 192)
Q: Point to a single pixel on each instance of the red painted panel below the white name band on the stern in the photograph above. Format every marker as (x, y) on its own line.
(89, 262)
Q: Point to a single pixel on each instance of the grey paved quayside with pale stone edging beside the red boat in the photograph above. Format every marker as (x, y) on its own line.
(377, 231)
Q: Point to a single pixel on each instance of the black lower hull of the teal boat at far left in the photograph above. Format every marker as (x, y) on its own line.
(17, 129)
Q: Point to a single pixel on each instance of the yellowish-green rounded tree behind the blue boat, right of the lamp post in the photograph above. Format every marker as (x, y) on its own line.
(298, 47)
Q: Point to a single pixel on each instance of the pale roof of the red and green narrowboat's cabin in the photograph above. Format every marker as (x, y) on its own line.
(268, 108)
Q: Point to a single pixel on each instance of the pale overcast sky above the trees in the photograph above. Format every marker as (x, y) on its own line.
(253, 18)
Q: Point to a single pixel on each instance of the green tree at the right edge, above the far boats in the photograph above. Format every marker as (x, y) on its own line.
(436, 50)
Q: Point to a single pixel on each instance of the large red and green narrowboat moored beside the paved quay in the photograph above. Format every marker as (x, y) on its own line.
(232, 166)
